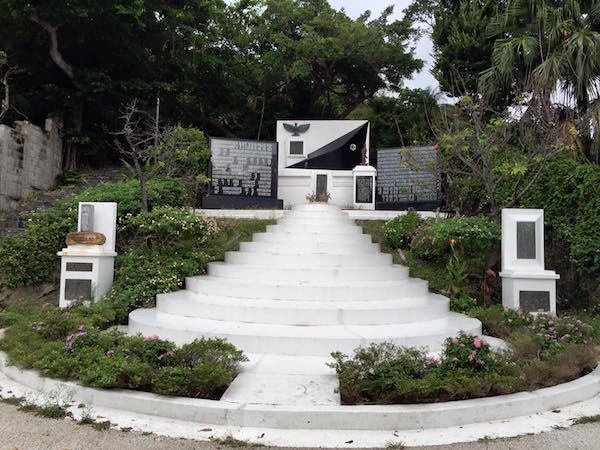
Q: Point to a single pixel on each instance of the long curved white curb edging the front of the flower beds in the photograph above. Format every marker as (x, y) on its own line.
(336, 417)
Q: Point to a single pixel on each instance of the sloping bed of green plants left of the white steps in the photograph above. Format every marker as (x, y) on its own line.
(157, 250)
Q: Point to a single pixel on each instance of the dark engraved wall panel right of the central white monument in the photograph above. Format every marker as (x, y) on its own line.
(407, 177)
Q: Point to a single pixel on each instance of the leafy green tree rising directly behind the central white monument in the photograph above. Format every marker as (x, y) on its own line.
(311, 60)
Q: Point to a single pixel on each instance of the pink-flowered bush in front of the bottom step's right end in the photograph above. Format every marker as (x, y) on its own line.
(466, 351)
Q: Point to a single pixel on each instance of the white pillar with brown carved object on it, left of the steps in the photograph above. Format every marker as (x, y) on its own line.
(87, 264)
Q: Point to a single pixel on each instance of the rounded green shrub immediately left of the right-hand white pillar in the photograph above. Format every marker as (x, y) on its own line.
(475, 237)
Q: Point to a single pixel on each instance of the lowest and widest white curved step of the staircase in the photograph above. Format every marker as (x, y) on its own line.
(299, 340)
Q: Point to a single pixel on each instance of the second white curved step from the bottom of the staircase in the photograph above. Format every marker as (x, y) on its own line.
(189, 304)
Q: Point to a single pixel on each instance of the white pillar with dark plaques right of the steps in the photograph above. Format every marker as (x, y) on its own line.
(526, 284)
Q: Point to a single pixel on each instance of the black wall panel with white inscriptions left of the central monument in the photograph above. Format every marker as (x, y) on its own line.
(244, 168)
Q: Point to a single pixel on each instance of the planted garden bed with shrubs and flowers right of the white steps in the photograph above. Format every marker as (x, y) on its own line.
(457, 256)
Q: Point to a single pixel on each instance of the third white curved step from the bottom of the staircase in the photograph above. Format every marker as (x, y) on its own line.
(309, 291)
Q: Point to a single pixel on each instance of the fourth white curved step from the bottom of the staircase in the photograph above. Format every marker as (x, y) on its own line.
(306, 274)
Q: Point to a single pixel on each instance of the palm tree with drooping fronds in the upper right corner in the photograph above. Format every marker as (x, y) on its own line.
(549, 46)
